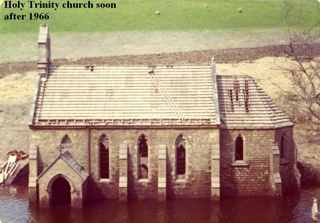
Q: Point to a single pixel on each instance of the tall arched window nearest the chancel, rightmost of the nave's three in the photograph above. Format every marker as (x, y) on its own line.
(180, 156)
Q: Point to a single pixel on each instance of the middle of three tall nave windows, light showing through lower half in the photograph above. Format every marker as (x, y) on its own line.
(143, 157)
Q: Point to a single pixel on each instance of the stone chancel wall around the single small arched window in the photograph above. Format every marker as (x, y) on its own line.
(252, 177)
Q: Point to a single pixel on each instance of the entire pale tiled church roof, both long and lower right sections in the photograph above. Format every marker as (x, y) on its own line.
(160, 96)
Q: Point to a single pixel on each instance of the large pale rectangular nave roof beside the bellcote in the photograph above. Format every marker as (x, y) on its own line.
(87, 95)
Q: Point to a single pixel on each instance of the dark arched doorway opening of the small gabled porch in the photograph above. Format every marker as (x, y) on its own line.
(61, 195)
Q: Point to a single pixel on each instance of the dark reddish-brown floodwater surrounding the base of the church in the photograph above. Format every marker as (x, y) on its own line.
(14, 207)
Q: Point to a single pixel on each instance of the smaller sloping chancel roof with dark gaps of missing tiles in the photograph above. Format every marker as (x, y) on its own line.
(243, 104)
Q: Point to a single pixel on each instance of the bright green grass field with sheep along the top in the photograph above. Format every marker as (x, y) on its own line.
(139, 15)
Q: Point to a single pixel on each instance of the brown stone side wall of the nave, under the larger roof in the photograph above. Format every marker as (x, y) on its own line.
(195, 184)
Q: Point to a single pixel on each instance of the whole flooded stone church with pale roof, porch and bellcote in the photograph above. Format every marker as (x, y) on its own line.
(154, 132)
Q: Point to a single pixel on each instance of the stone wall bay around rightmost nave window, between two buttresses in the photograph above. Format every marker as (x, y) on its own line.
(197, 181)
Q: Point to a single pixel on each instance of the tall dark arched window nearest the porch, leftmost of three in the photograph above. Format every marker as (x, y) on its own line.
(104, 157)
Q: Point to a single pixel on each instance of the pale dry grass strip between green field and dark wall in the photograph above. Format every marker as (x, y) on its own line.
(73, 45)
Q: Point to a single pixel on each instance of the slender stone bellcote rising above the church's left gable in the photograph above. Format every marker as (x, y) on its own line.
(44, 51)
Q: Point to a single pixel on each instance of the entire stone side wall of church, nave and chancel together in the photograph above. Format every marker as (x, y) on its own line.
(205, 176)
